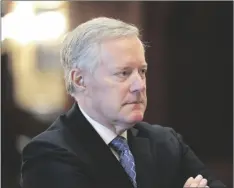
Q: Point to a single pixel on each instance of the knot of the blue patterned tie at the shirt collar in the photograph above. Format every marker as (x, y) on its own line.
(119, 144)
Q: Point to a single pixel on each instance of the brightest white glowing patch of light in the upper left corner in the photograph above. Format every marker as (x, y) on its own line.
(24, 25)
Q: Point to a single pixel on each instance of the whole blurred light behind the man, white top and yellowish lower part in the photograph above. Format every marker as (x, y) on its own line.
(32, 33)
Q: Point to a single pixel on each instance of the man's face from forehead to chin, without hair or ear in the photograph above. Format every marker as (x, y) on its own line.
(116, 92)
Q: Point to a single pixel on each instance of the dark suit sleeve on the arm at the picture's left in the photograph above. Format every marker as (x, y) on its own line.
(46, 165)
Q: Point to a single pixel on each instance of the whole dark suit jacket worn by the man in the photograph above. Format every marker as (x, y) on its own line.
(71, 154)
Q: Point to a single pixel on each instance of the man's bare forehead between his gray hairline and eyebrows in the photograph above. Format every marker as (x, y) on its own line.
(123, 51)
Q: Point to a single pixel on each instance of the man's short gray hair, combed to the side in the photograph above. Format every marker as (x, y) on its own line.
(80, 48)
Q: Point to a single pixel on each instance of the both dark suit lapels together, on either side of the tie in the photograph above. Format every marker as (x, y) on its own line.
(104, 162)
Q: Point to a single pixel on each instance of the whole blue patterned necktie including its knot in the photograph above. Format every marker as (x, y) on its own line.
(119, 144)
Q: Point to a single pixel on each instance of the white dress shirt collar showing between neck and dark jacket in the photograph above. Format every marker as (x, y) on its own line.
(106, 134)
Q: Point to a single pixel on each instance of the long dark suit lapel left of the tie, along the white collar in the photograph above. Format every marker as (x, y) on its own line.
(103, 163)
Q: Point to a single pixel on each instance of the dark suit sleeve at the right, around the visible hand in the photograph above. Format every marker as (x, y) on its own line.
(191, 165)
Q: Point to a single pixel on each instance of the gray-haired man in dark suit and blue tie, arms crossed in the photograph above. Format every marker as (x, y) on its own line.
(102, 142)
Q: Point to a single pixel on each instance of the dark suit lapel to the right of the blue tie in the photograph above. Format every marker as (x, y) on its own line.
(145, 163)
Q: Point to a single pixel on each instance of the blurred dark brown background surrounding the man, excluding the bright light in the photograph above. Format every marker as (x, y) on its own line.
(190, 79)
